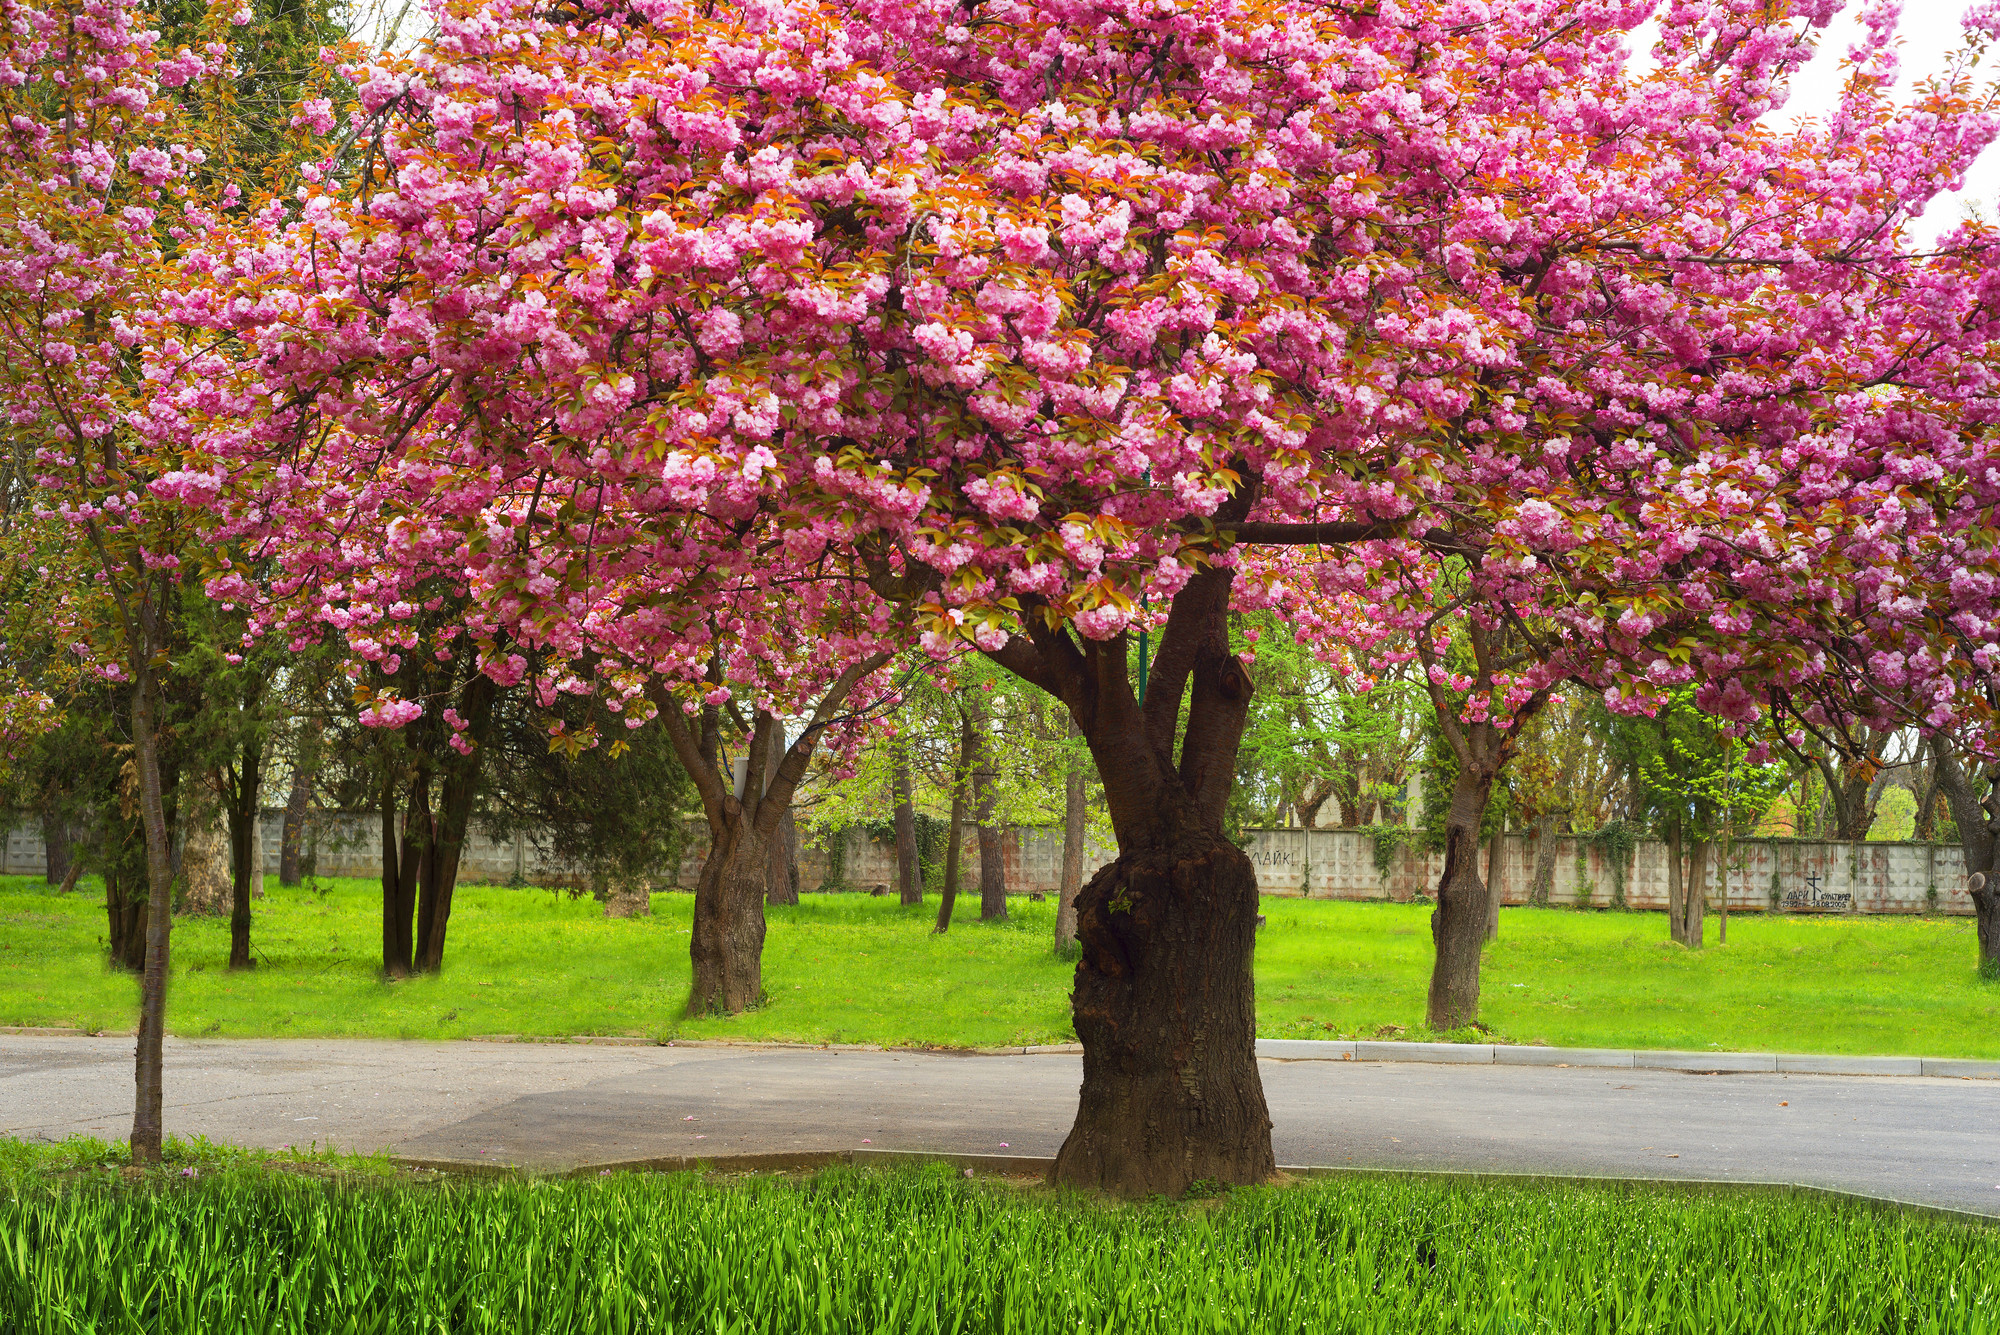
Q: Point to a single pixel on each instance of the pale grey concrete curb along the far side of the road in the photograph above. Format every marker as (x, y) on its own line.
(1619, 1058)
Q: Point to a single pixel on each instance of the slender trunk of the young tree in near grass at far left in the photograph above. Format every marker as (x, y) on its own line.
(149, 1058)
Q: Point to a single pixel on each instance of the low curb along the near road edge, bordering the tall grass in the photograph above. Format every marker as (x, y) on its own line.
(1039, 1166)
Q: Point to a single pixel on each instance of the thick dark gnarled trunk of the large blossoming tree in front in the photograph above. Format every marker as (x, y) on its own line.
(1163, 1000)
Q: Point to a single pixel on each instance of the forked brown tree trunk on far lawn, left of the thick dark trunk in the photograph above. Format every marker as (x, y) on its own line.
(727, 942)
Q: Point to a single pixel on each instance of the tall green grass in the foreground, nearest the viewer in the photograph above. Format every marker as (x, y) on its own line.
(929, 1252)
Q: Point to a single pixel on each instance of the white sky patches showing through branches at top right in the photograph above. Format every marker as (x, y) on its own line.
(1929, 31)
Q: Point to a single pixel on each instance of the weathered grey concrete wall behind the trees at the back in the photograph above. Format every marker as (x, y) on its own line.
(1319, 864)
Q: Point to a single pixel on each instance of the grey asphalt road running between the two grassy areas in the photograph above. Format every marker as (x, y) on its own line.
(1925, 1140)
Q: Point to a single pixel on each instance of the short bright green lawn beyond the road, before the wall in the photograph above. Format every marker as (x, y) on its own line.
(863, 970)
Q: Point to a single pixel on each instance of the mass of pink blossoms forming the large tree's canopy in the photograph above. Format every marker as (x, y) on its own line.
(731, 345)
